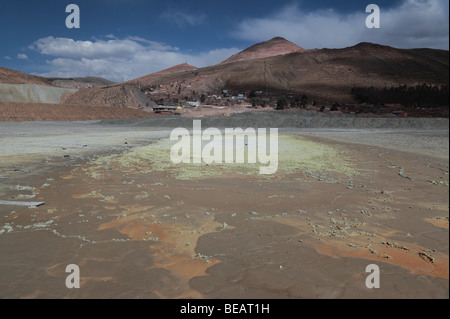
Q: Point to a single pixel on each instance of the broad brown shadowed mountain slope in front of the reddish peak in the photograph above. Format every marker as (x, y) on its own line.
(326, 75)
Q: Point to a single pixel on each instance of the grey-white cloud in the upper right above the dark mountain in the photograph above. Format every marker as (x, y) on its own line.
(414, 23)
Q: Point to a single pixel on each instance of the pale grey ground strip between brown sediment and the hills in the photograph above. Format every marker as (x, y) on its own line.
(27, 141)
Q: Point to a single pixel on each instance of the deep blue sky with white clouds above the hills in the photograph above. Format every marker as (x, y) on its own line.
(125, 39)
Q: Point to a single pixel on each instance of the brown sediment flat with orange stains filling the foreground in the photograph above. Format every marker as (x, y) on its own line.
(304, 233)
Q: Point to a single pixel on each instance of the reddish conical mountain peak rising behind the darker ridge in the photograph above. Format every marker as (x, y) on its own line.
(273, 47)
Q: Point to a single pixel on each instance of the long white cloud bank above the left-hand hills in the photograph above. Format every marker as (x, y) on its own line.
(118, 59)
